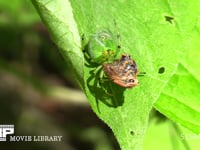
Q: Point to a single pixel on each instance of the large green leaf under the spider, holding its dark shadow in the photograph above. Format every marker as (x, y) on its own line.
(152, 41)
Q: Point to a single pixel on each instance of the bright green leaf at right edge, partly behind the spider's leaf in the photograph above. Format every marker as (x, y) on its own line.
(180, 98)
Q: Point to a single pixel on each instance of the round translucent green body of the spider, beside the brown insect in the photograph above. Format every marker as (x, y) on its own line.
(101, 48)
